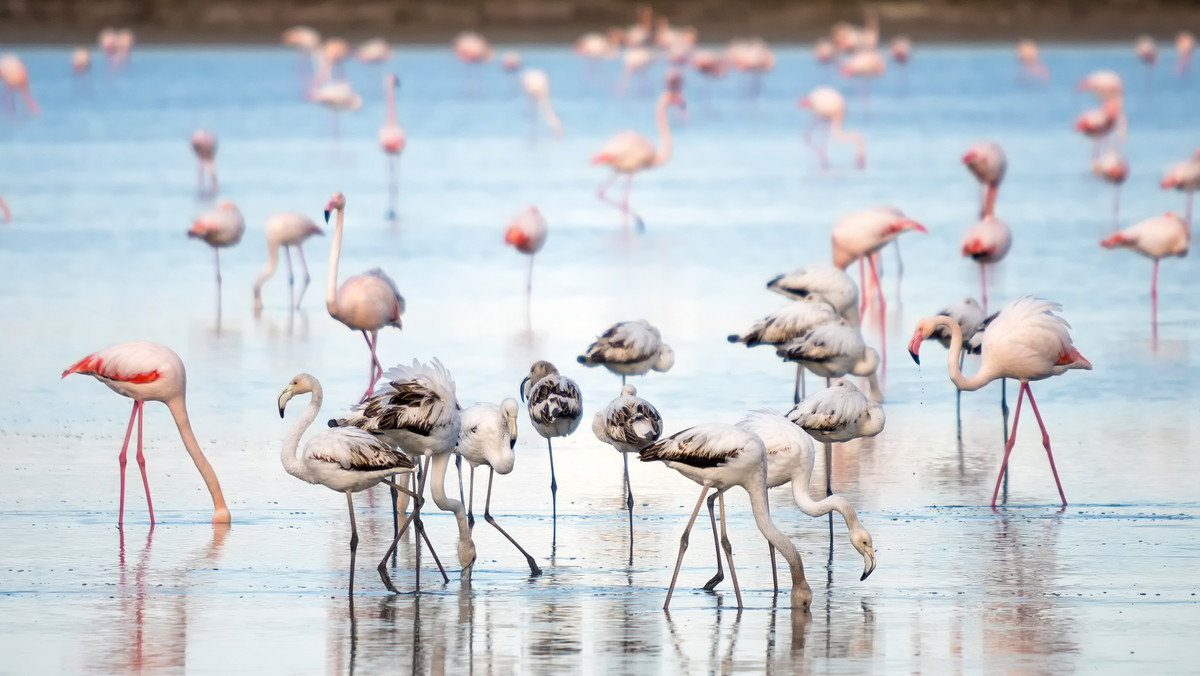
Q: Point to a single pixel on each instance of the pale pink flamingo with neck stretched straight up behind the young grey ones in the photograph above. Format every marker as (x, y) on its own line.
(365, 303)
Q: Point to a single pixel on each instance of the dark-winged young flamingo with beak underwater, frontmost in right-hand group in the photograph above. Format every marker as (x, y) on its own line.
(722, 457)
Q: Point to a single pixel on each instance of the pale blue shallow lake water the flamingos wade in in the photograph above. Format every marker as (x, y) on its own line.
(103, 190)
